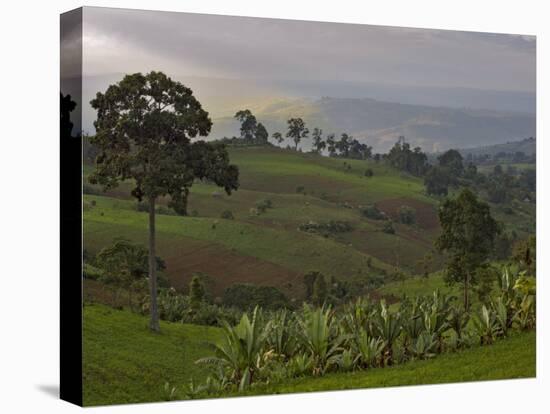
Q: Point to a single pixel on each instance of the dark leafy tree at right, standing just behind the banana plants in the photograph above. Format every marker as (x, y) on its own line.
(468, 234)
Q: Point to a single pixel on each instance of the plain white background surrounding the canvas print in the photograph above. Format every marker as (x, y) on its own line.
(29, 207)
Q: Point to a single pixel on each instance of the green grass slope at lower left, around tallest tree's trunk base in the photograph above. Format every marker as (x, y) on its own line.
(124, 362)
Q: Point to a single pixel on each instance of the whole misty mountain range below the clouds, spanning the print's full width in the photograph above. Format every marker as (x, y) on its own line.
(435, 118)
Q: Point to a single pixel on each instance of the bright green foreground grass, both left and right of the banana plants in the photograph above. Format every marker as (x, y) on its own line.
(124, 363)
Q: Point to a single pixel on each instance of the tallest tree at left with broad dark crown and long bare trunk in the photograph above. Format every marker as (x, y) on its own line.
(144, 128)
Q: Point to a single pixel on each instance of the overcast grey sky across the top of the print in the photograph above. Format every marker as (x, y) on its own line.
(180, 44)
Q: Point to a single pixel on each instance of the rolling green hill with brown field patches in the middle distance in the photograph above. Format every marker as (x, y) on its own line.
(268, 248)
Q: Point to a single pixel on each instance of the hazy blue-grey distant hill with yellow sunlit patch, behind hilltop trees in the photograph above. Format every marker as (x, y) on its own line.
(380, 123)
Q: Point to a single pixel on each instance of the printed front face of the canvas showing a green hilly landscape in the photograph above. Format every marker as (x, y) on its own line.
(279, 206)
